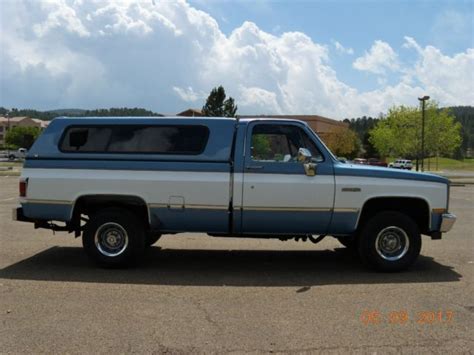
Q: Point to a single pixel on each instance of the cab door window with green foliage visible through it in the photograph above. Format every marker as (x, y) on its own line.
(280, 143)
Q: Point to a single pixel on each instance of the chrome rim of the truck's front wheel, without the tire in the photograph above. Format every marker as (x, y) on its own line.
(392, 243)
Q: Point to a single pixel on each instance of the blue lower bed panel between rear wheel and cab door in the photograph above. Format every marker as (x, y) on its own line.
(190, 220)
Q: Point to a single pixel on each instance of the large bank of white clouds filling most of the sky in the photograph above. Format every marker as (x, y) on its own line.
(165, 55)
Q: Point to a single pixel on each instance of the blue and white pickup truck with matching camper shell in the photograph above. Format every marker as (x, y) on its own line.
(123, 182)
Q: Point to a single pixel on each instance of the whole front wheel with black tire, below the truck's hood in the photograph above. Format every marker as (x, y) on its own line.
(389, 241)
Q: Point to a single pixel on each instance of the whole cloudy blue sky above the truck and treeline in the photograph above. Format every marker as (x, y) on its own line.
(335, 58)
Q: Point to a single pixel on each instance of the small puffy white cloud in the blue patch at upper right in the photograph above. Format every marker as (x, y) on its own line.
(380, 58)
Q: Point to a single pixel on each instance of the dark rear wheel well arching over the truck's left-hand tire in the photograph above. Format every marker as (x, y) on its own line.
(90, 204)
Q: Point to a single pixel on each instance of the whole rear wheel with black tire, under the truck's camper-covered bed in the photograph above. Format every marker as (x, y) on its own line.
(126, 245)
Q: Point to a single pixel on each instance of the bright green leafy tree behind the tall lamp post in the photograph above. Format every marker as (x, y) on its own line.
(399, 133)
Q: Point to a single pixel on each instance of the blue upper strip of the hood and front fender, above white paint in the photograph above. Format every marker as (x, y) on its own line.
(342, 169)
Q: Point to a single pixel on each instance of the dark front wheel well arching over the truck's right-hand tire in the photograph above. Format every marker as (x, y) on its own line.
(415, 208)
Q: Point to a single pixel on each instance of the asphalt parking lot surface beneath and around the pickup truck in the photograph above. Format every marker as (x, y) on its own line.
(200, 294)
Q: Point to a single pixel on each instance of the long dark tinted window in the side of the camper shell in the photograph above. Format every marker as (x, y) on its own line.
(188, 140)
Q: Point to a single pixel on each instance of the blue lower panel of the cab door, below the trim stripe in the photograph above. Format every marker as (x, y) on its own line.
(285, 222)
